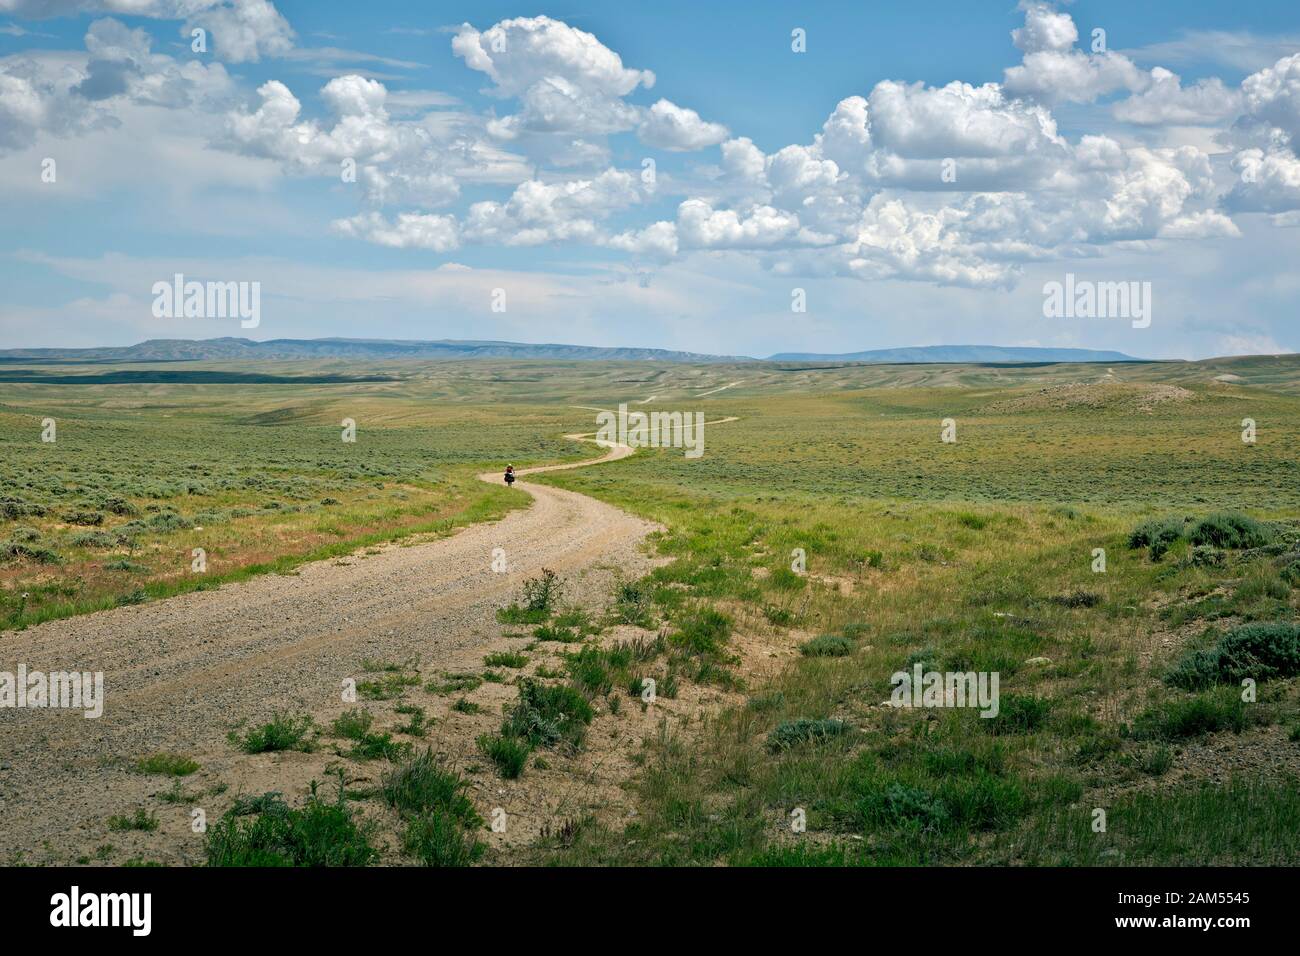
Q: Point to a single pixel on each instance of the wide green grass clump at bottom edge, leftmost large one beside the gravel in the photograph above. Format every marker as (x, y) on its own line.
(318, 834)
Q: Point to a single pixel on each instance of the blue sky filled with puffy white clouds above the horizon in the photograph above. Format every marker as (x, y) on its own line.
(501, 148)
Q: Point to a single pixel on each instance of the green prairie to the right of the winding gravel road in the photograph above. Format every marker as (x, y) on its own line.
(977, 556)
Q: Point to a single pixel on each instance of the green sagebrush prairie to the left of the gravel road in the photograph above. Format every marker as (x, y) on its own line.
(257, 477)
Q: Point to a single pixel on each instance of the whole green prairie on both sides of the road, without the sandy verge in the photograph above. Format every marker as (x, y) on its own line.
(974, 556)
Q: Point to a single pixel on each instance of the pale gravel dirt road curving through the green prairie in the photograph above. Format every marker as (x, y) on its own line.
(180, 673)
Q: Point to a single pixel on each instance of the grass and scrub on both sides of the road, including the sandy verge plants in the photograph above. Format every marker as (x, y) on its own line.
(1121, 690)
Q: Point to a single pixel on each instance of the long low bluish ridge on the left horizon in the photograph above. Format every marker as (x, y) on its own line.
(285, 349)
